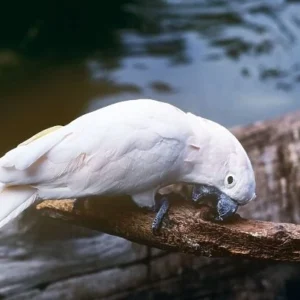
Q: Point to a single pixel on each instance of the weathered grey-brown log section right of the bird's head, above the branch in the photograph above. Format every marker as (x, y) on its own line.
(274, 149)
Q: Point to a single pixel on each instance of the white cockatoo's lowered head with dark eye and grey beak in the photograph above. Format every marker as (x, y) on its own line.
(220, 164)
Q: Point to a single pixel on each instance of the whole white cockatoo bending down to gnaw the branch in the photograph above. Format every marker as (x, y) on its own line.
(134, 148)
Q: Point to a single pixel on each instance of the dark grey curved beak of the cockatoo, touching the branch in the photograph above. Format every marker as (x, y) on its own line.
(224, 205)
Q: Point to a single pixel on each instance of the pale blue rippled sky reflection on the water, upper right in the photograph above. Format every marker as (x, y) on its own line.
(231, 61)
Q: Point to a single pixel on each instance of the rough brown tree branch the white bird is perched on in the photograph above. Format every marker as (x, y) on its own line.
(185, 229)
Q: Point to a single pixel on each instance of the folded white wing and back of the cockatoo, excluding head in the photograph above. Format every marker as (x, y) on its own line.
(128, 147)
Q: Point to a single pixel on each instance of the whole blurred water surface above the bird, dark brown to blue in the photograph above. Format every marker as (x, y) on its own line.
(232, 61)
